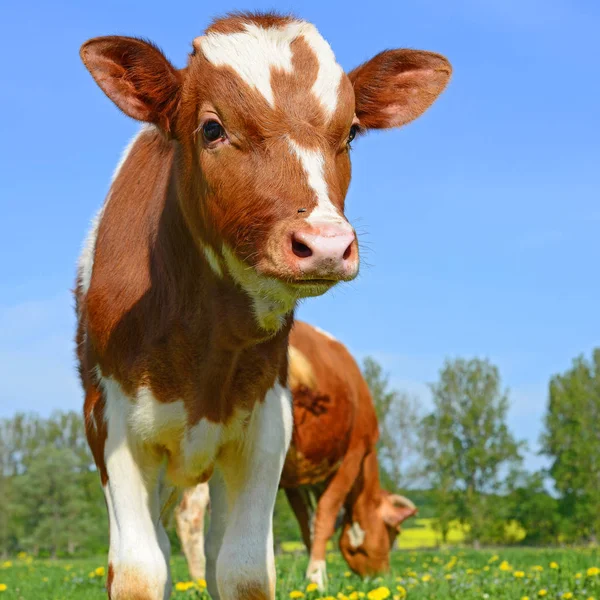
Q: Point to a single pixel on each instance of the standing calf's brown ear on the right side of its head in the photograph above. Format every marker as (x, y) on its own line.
(397, 86)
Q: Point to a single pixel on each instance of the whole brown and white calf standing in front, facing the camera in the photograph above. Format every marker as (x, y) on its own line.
(226, 209)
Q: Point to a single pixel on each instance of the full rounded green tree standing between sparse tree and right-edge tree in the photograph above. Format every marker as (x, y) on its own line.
(467, 446)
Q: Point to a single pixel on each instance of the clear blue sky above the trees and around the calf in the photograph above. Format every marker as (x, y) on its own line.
(479, 220)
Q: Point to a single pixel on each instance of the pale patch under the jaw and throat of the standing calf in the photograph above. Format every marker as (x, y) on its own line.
(271, 299)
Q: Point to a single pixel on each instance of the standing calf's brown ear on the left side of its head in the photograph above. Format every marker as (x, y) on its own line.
(136, 76)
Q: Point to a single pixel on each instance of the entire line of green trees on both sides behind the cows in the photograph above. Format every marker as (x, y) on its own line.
(459, 462)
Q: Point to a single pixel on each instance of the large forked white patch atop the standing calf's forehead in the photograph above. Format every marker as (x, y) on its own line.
(253, 53)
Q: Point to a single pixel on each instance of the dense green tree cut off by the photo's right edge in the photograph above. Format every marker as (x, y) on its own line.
(572, 440)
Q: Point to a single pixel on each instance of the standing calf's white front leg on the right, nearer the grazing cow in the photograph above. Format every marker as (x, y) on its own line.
(251, 472)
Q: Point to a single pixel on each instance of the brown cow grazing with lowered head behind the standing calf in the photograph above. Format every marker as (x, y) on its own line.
(331, 466)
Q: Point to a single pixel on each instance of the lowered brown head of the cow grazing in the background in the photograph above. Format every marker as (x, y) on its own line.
(366, 545)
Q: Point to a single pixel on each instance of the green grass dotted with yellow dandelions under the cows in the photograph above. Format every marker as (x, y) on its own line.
(425, 575)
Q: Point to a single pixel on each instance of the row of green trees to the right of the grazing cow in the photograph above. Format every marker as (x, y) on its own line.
(471, 466)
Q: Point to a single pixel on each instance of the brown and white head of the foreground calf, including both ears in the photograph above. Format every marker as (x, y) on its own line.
(263, 118)
